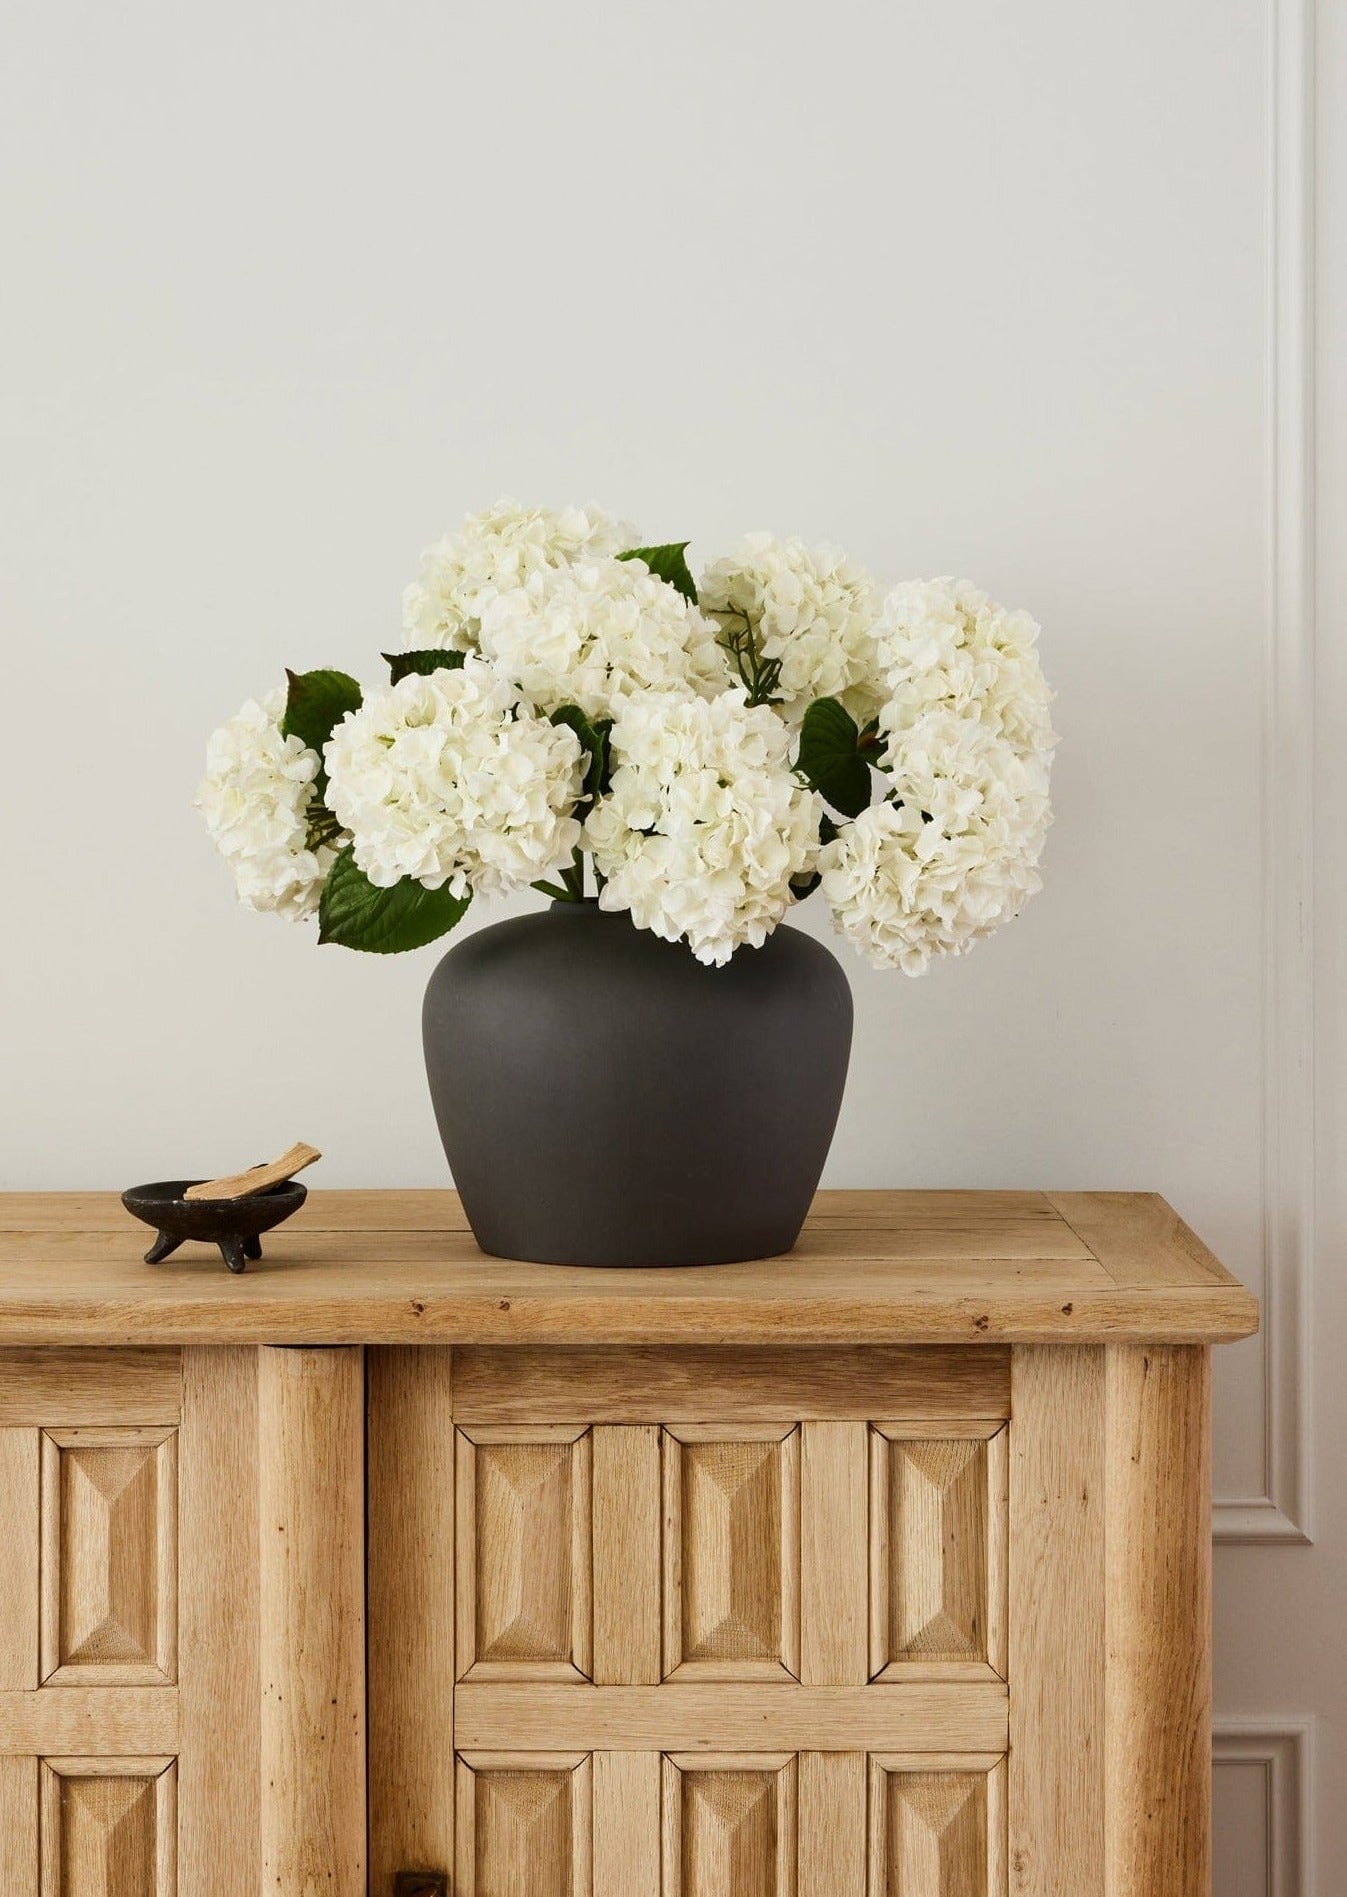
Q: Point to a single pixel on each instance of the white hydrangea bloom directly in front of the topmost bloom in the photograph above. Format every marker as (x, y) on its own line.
(597, 633)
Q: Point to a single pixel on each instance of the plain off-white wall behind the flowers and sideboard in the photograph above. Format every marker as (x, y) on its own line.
(970, 287)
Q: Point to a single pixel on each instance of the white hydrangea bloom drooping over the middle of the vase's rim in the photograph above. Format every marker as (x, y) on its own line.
(705, 824)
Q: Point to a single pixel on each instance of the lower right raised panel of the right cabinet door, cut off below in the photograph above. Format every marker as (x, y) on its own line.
(938, 1828)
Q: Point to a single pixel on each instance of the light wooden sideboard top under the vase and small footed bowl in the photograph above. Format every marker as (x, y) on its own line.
(403, 1268)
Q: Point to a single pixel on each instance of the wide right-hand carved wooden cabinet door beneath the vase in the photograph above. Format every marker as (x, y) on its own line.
(710, 1625)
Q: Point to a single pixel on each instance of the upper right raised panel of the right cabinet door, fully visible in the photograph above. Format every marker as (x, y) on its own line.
(938, 1539)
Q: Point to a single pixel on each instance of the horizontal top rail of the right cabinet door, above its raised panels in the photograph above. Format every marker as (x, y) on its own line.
(710, 1386)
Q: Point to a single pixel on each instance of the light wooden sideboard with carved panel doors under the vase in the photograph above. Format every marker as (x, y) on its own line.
(874, 1572)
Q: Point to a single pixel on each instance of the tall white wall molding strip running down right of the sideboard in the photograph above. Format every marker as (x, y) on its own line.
(1285, 1511)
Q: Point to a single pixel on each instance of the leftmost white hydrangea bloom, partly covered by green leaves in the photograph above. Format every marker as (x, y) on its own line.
(255, 800)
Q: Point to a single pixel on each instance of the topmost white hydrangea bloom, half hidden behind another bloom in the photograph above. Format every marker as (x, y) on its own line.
(498, 551)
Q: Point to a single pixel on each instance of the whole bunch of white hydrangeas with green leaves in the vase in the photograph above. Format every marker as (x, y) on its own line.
(572, 705)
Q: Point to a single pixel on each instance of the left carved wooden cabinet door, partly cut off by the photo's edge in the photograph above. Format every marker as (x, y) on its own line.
(128, 1577)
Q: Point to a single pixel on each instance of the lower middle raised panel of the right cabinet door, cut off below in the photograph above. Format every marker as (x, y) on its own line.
(729, 1826)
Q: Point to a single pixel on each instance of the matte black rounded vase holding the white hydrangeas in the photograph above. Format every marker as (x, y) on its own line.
(604, 1099)
